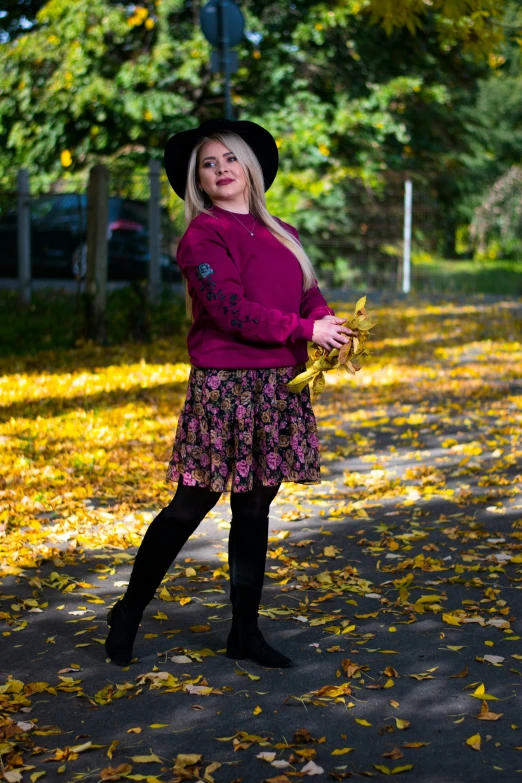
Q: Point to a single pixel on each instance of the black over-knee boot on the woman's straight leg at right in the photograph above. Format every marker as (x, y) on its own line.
(248, 542)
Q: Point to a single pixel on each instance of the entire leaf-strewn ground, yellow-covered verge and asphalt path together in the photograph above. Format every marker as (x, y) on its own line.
(394, 585)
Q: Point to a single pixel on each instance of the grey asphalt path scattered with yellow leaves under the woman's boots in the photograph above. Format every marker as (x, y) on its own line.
(404, 660)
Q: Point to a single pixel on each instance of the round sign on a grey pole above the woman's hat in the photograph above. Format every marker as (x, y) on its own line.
(223, 25)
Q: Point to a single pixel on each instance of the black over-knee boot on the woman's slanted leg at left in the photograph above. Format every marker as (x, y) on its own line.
(165, 537)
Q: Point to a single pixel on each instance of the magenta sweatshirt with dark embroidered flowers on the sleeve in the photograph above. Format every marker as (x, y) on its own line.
(247, 300)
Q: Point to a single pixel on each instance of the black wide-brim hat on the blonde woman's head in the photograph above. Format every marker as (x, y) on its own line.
(179, 147)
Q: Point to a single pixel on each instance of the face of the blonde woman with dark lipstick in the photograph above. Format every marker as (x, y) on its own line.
(220, 174)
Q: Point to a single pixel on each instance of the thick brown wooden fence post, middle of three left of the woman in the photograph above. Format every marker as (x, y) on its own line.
(97, 236)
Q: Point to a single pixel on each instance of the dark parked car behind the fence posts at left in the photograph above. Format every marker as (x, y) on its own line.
(58, 239)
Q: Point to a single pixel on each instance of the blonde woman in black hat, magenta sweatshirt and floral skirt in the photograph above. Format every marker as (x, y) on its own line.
(255, 304)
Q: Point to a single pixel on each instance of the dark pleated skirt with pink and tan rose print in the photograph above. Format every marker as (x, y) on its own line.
(242, 428)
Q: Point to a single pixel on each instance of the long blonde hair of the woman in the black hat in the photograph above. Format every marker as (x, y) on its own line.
(197, 201)
